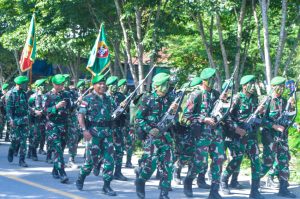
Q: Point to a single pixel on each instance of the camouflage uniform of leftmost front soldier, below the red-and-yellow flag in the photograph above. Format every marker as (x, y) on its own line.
(18, 112)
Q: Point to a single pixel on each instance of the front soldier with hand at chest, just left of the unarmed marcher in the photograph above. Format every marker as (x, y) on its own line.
(57, 111)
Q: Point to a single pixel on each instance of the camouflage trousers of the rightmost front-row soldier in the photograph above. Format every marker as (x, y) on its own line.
(275, 148)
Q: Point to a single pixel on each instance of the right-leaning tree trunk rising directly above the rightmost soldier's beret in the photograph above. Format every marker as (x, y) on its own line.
(282, 37)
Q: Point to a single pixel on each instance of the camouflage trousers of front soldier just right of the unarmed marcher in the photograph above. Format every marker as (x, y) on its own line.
(158, 151)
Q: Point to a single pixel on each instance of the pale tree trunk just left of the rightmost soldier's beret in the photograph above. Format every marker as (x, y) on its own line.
(266, 42)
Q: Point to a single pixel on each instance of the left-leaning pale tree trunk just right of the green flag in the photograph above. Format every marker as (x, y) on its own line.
(127, 43)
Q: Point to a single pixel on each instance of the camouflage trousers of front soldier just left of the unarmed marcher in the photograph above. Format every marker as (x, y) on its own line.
(56, 139)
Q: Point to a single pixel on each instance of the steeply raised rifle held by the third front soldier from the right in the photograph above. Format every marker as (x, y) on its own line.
(217, 113)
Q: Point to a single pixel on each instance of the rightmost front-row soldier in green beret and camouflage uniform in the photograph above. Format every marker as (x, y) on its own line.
(275, 137)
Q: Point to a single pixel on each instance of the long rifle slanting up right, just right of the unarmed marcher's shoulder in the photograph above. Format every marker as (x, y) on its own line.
(123, 105)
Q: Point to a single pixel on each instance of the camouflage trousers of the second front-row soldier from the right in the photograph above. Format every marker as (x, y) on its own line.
(240, 146)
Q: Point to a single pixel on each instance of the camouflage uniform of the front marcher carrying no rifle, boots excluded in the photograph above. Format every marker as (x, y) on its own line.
(97, 113)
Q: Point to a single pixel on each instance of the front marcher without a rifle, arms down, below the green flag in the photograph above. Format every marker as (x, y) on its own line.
(95, 121)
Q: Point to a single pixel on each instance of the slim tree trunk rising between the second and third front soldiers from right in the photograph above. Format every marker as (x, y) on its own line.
(239, 39)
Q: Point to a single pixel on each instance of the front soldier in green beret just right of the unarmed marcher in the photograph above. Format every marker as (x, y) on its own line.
(157, 145)
